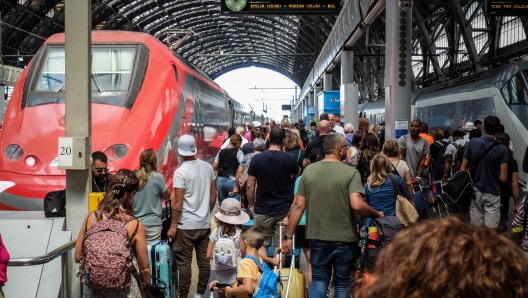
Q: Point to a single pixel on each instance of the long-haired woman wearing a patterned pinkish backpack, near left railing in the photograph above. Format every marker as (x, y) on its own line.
(116, 205)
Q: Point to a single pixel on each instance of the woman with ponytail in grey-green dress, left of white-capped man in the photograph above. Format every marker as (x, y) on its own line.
(152, 189)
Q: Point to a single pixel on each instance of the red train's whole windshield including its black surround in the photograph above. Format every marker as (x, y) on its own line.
(114, 72)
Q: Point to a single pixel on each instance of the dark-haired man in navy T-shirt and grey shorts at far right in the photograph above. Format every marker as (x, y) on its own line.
(485, 208)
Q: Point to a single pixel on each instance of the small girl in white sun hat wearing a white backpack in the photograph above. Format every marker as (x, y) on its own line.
(224, 244)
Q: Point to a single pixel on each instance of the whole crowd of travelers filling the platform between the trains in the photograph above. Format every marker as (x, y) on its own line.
(340, 182)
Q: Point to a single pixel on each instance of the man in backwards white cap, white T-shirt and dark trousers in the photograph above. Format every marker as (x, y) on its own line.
(193, 199)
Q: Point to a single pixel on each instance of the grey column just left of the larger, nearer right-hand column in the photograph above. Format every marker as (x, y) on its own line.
(348, 90)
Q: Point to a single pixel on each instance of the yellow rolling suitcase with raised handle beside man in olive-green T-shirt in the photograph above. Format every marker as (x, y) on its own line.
(293, 280)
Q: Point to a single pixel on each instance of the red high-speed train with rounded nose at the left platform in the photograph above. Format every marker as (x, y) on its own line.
(143, 96)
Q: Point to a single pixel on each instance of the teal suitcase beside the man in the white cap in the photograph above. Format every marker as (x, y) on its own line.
(163, 266)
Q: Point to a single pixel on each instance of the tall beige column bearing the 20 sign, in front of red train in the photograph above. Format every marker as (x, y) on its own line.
(78, 25)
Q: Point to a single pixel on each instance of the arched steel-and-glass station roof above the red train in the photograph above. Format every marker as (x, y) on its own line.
(196, 29)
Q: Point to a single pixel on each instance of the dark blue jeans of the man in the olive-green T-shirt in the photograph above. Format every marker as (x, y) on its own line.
(325, 255)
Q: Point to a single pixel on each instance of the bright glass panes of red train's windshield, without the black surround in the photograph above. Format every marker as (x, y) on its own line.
(111, 69)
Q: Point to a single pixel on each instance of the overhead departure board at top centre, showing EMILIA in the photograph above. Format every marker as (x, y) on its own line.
(280, 6)
